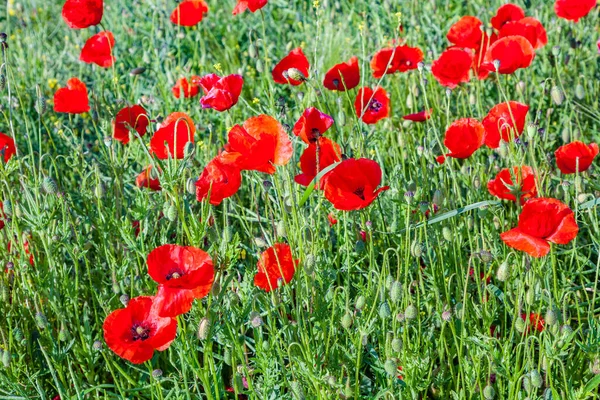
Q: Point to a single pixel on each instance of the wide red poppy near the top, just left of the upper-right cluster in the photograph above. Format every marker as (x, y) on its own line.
(397, 59)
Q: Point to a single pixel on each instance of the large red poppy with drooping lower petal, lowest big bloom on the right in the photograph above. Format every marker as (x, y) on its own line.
(542, 221)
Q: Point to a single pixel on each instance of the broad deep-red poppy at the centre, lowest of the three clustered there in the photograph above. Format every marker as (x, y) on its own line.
(352, 185)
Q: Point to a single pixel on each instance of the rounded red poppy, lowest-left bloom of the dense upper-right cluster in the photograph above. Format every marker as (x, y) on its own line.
(453, 67)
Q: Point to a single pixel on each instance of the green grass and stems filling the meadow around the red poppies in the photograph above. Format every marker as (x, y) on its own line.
(312, 340)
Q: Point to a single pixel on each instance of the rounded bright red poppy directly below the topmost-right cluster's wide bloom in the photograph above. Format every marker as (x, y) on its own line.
(512, 52)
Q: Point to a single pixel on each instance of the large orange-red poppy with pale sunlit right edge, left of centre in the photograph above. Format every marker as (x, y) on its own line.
(260, 144)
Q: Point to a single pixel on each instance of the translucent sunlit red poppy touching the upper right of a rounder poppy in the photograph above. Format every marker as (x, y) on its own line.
(504, 122)
